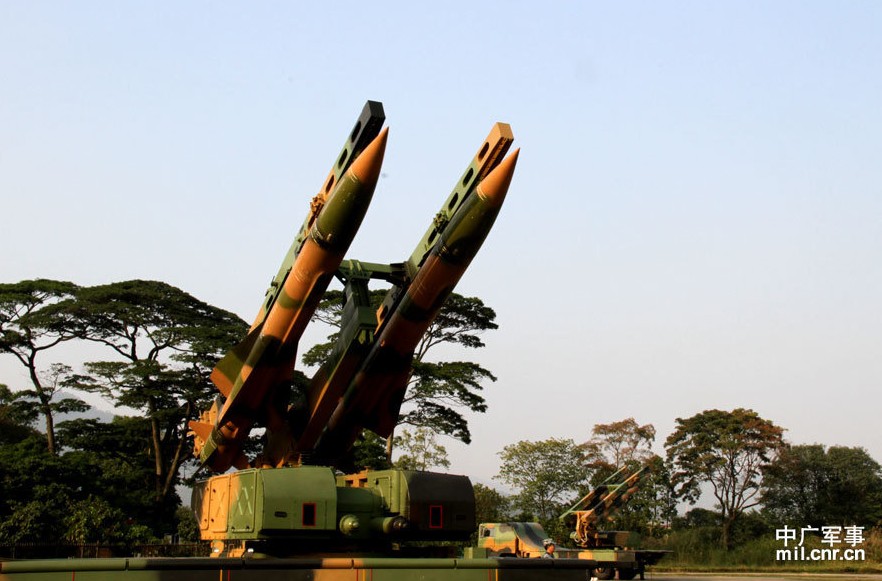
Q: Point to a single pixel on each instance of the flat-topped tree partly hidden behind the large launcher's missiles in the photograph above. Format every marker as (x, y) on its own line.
(438, 392)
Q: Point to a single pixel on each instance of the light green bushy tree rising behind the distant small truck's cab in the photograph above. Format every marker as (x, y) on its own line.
(545, 474)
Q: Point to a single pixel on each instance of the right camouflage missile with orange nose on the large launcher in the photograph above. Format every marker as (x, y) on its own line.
(373, 400)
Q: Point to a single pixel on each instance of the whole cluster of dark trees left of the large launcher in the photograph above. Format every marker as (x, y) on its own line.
(162, 345)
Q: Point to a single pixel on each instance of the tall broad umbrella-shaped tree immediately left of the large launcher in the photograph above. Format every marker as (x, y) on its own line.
(166, 342)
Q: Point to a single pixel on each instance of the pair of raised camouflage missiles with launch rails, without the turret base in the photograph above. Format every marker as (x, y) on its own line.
(364, 380)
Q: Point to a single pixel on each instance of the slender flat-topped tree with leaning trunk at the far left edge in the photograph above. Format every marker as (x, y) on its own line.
(30, 324)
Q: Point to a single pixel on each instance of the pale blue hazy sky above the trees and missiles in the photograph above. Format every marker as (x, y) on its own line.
(695, 221)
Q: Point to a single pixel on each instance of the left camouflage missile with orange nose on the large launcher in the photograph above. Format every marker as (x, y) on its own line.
(251, 371)
